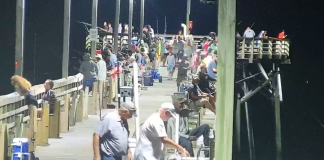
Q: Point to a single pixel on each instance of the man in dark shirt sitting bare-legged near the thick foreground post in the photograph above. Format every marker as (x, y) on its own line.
(200, 98)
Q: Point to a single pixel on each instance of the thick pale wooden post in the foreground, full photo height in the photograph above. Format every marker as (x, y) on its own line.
(225, 79)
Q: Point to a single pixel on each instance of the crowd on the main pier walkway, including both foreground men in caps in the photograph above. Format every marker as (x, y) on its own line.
(110, 140)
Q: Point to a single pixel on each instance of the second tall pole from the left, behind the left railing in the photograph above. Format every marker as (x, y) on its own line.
(66, 38)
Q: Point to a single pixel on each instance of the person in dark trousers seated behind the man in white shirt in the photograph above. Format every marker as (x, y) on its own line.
(186, 135)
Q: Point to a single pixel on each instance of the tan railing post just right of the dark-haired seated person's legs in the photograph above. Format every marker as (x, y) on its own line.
(55, 121)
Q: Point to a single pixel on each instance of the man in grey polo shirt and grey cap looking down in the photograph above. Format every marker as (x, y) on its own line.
(110, 140)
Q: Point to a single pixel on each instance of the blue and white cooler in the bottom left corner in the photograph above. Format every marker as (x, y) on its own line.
(20, 149)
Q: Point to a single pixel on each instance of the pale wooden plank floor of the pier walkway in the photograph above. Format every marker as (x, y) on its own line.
(77, 144)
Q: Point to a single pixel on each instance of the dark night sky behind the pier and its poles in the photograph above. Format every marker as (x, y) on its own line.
(302, 110)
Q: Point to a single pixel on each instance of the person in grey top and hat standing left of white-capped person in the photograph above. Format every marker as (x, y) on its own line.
(89, 69)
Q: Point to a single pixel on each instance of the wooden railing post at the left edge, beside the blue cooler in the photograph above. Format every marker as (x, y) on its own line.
(4, 142)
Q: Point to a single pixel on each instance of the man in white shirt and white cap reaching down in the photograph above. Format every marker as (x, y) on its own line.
(153, 135)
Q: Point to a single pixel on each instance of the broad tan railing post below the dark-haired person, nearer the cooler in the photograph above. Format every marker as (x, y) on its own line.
(43, 127)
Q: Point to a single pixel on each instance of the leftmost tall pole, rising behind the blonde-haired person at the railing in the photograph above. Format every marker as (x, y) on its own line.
(20, 29)
